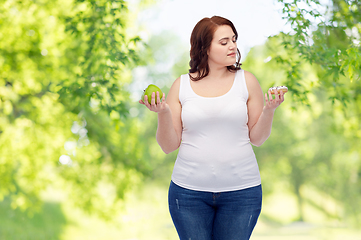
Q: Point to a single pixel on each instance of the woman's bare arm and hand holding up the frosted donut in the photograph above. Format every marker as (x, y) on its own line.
(260, 116)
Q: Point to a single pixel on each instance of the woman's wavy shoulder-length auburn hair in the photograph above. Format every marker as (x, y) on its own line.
(201, 38)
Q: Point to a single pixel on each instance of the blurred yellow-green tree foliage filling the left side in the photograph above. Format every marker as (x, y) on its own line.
(65, 67)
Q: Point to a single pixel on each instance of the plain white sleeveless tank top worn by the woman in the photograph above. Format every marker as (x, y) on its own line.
(215, 154)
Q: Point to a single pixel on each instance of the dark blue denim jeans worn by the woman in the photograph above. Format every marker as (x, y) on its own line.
(199, 215)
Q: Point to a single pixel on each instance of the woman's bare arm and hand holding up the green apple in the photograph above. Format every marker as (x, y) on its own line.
(169, 129)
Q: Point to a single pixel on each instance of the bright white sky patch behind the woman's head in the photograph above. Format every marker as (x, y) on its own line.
(255, 21)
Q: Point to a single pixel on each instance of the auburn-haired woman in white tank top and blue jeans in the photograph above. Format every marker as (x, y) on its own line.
(213, 115)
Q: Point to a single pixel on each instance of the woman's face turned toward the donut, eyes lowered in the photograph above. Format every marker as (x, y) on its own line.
(223, 49)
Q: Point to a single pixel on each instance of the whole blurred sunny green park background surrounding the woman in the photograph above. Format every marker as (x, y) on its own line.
(78, 155)
